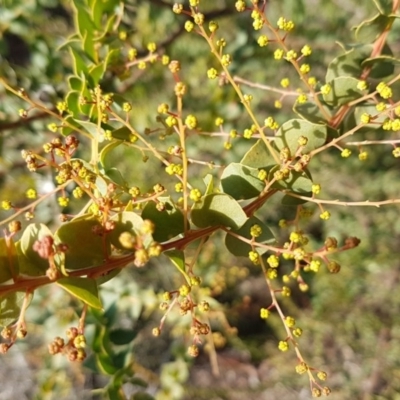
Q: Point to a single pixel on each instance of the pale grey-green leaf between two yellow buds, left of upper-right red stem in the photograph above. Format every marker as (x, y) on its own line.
(343, 90)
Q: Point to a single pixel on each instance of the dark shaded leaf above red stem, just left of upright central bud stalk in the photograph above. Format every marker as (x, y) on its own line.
(168, 223)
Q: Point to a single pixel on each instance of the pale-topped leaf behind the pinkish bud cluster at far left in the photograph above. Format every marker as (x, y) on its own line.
(30, 262)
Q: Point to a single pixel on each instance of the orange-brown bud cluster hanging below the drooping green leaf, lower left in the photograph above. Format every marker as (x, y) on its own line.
(73, 349)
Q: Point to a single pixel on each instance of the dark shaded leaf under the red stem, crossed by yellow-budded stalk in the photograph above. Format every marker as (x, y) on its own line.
(241, 249)
